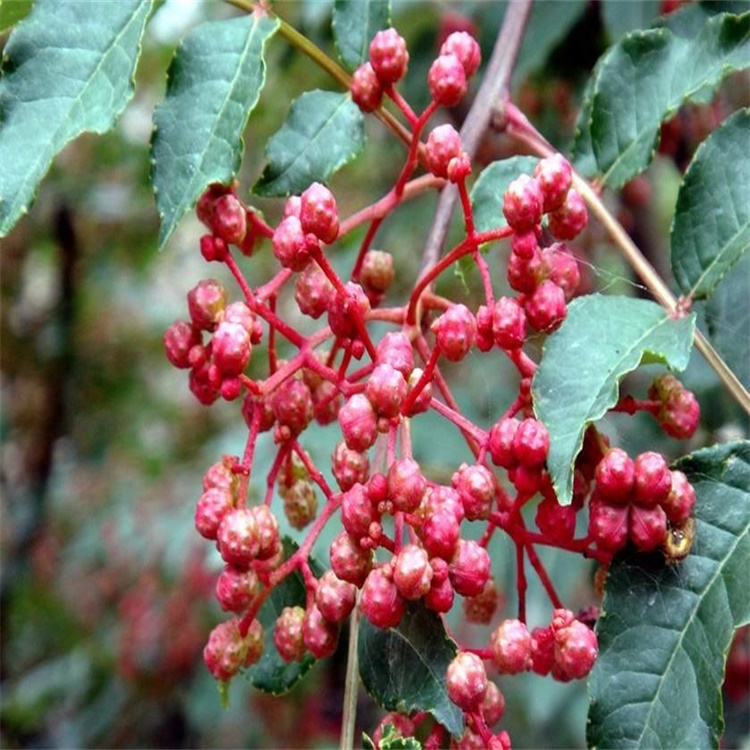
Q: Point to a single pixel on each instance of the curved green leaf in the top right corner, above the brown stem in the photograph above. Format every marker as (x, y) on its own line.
(646, 77)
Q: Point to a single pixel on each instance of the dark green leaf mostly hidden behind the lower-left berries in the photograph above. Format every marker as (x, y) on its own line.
(271, 673)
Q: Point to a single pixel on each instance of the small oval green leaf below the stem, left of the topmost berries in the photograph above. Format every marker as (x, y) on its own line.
(323, 132)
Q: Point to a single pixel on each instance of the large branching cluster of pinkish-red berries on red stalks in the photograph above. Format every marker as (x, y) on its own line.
(404, 536)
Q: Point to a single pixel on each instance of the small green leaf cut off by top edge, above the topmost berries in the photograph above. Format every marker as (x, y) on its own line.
(355, 23)
